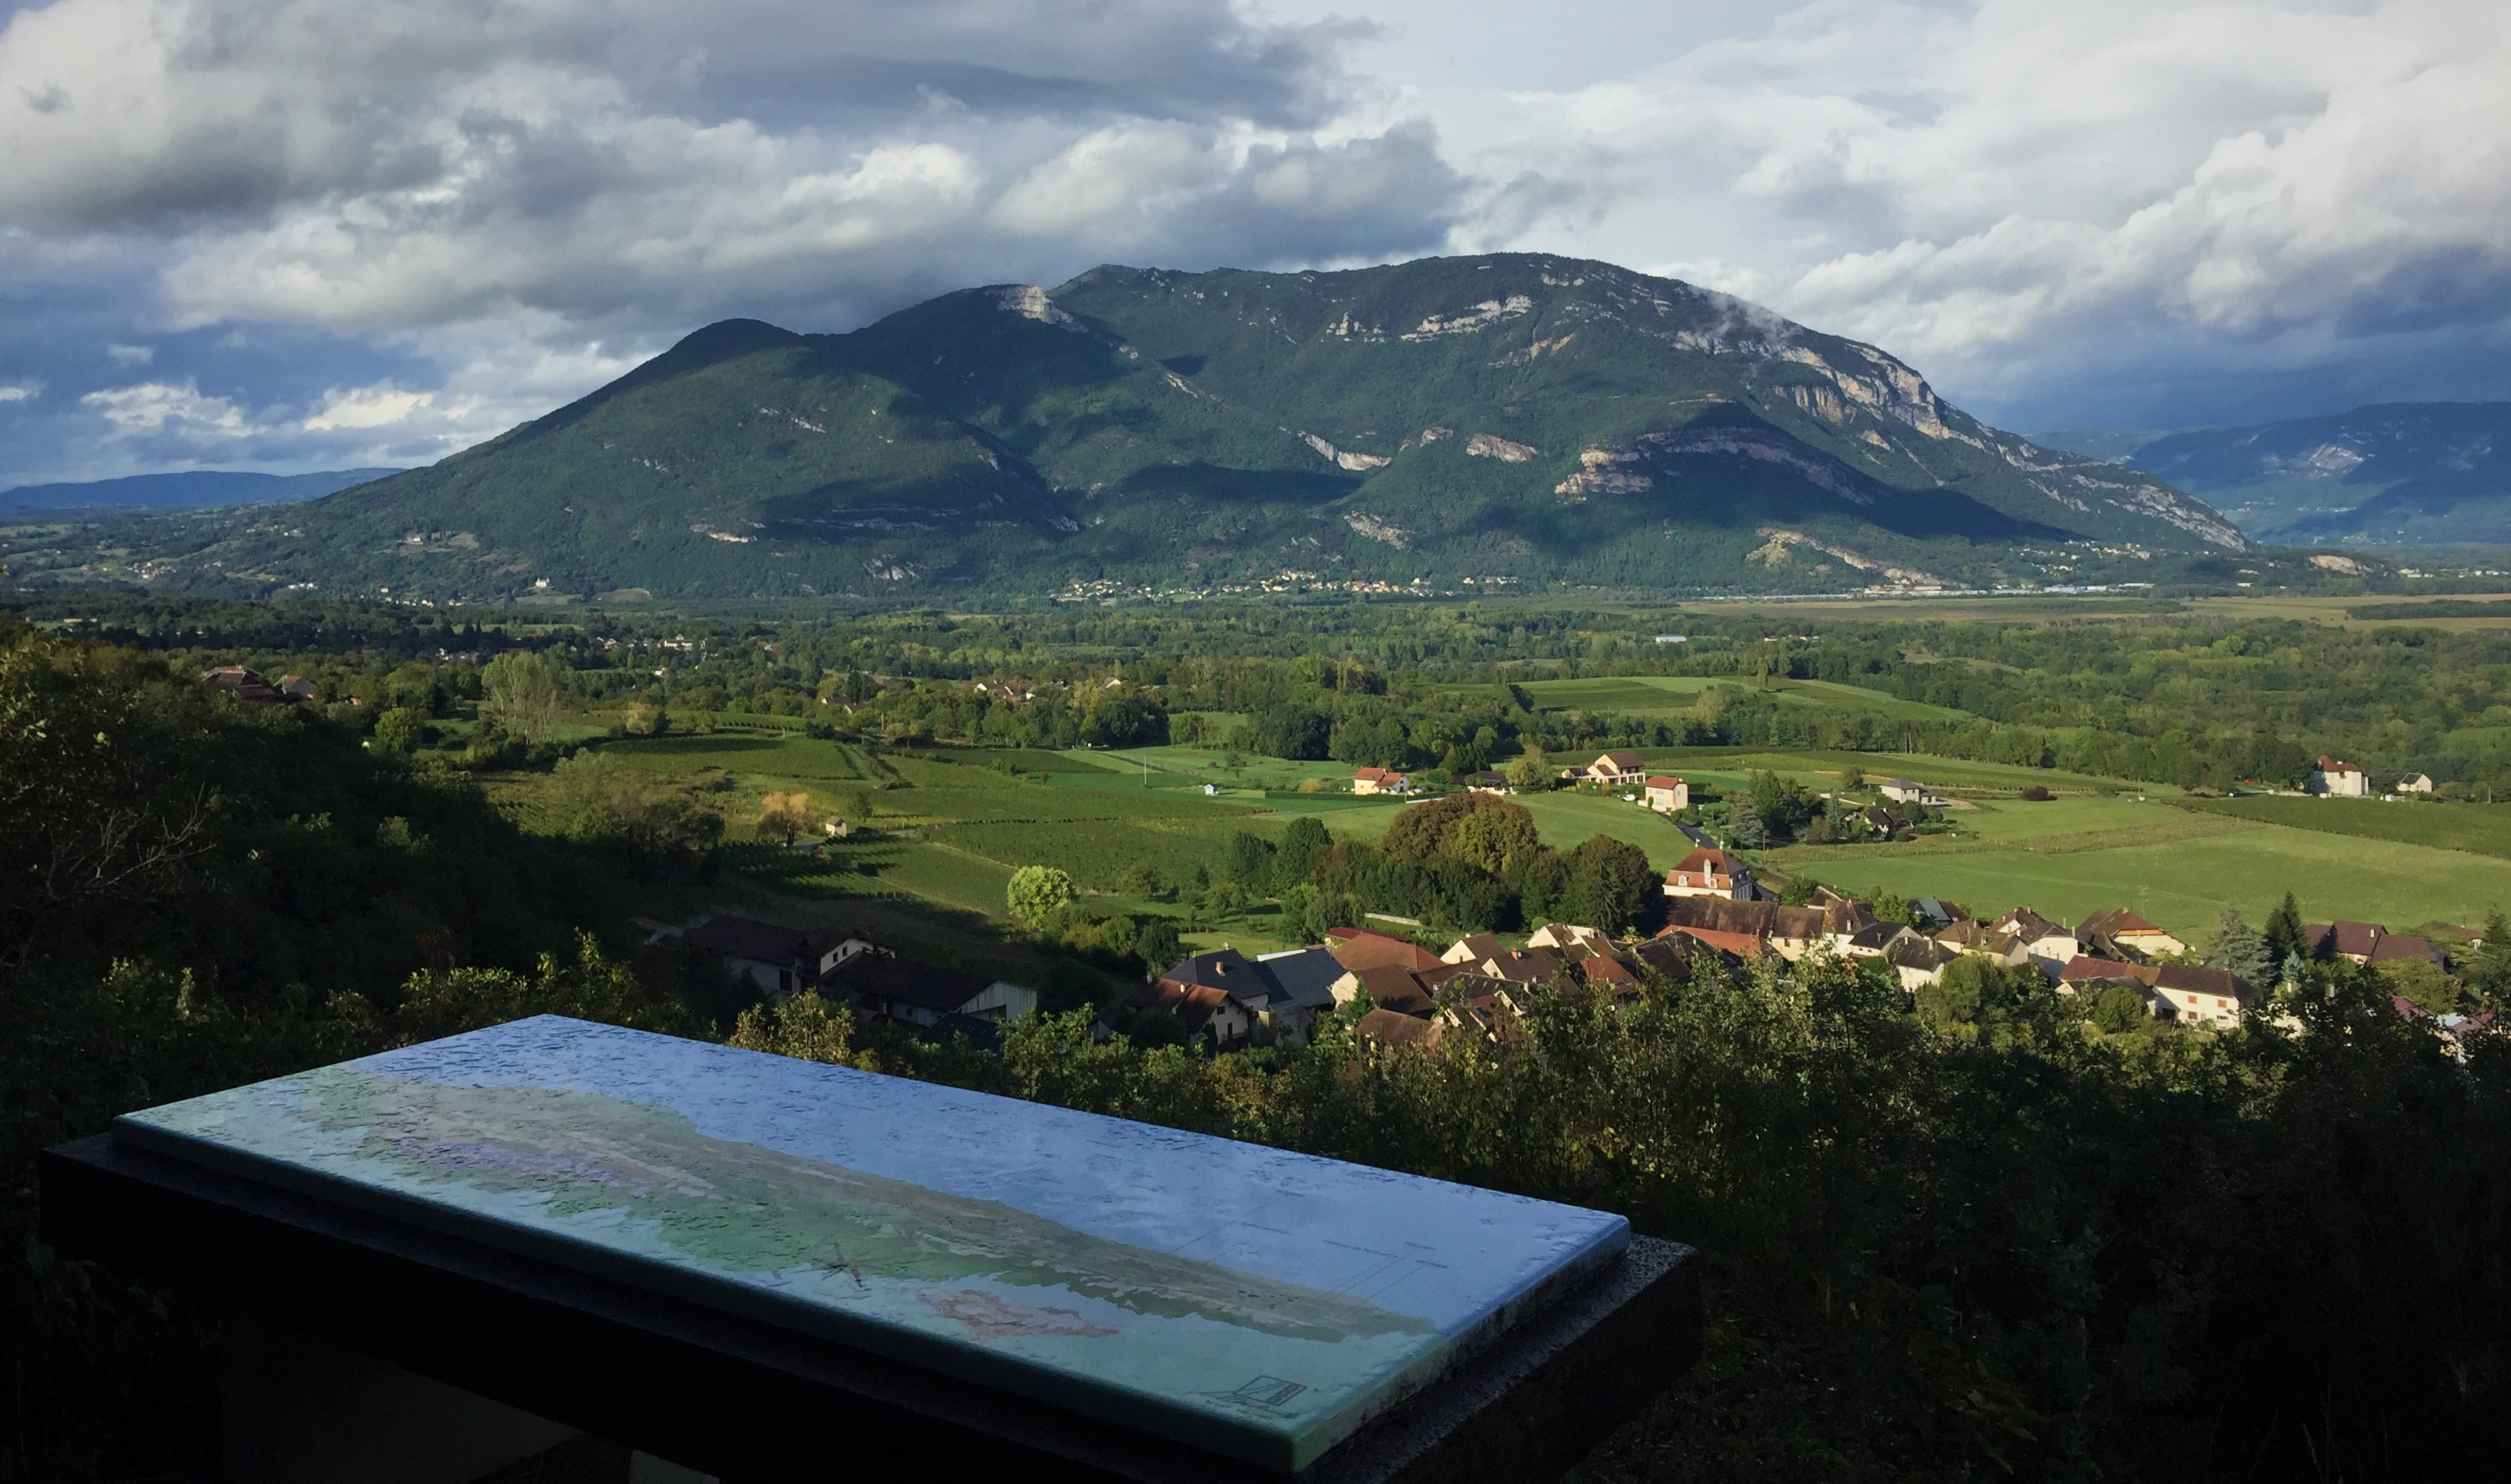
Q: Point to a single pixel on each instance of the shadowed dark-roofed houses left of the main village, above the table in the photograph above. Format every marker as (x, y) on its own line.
(845, 965)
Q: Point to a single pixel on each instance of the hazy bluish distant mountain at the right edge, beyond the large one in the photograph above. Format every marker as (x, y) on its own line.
(2392, 476)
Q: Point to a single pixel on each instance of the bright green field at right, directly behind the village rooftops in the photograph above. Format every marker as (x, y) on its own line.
(2173, 865)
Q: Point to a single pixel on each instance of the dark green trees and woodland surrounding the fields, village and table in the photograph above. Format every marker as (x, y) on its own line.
(1947, 1242)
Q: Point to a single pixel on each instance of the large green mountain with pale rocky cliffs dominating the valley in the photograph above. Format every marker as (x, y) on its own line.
(1505, 418)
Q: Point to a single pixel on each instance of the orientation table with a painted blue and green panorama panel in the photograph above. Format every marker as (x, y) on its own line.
(772, 1269)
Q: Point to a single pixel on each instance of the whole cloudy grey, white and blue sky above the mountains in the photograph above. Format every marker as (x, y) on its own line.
(298, 235)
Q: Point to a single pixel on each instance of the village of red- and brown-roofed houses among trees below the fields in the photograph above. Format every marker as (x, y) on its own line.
(1719, 918)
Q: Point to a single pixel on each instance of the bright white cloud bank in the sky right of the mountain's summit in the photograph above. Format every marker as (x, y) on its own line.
(2033, 200)
